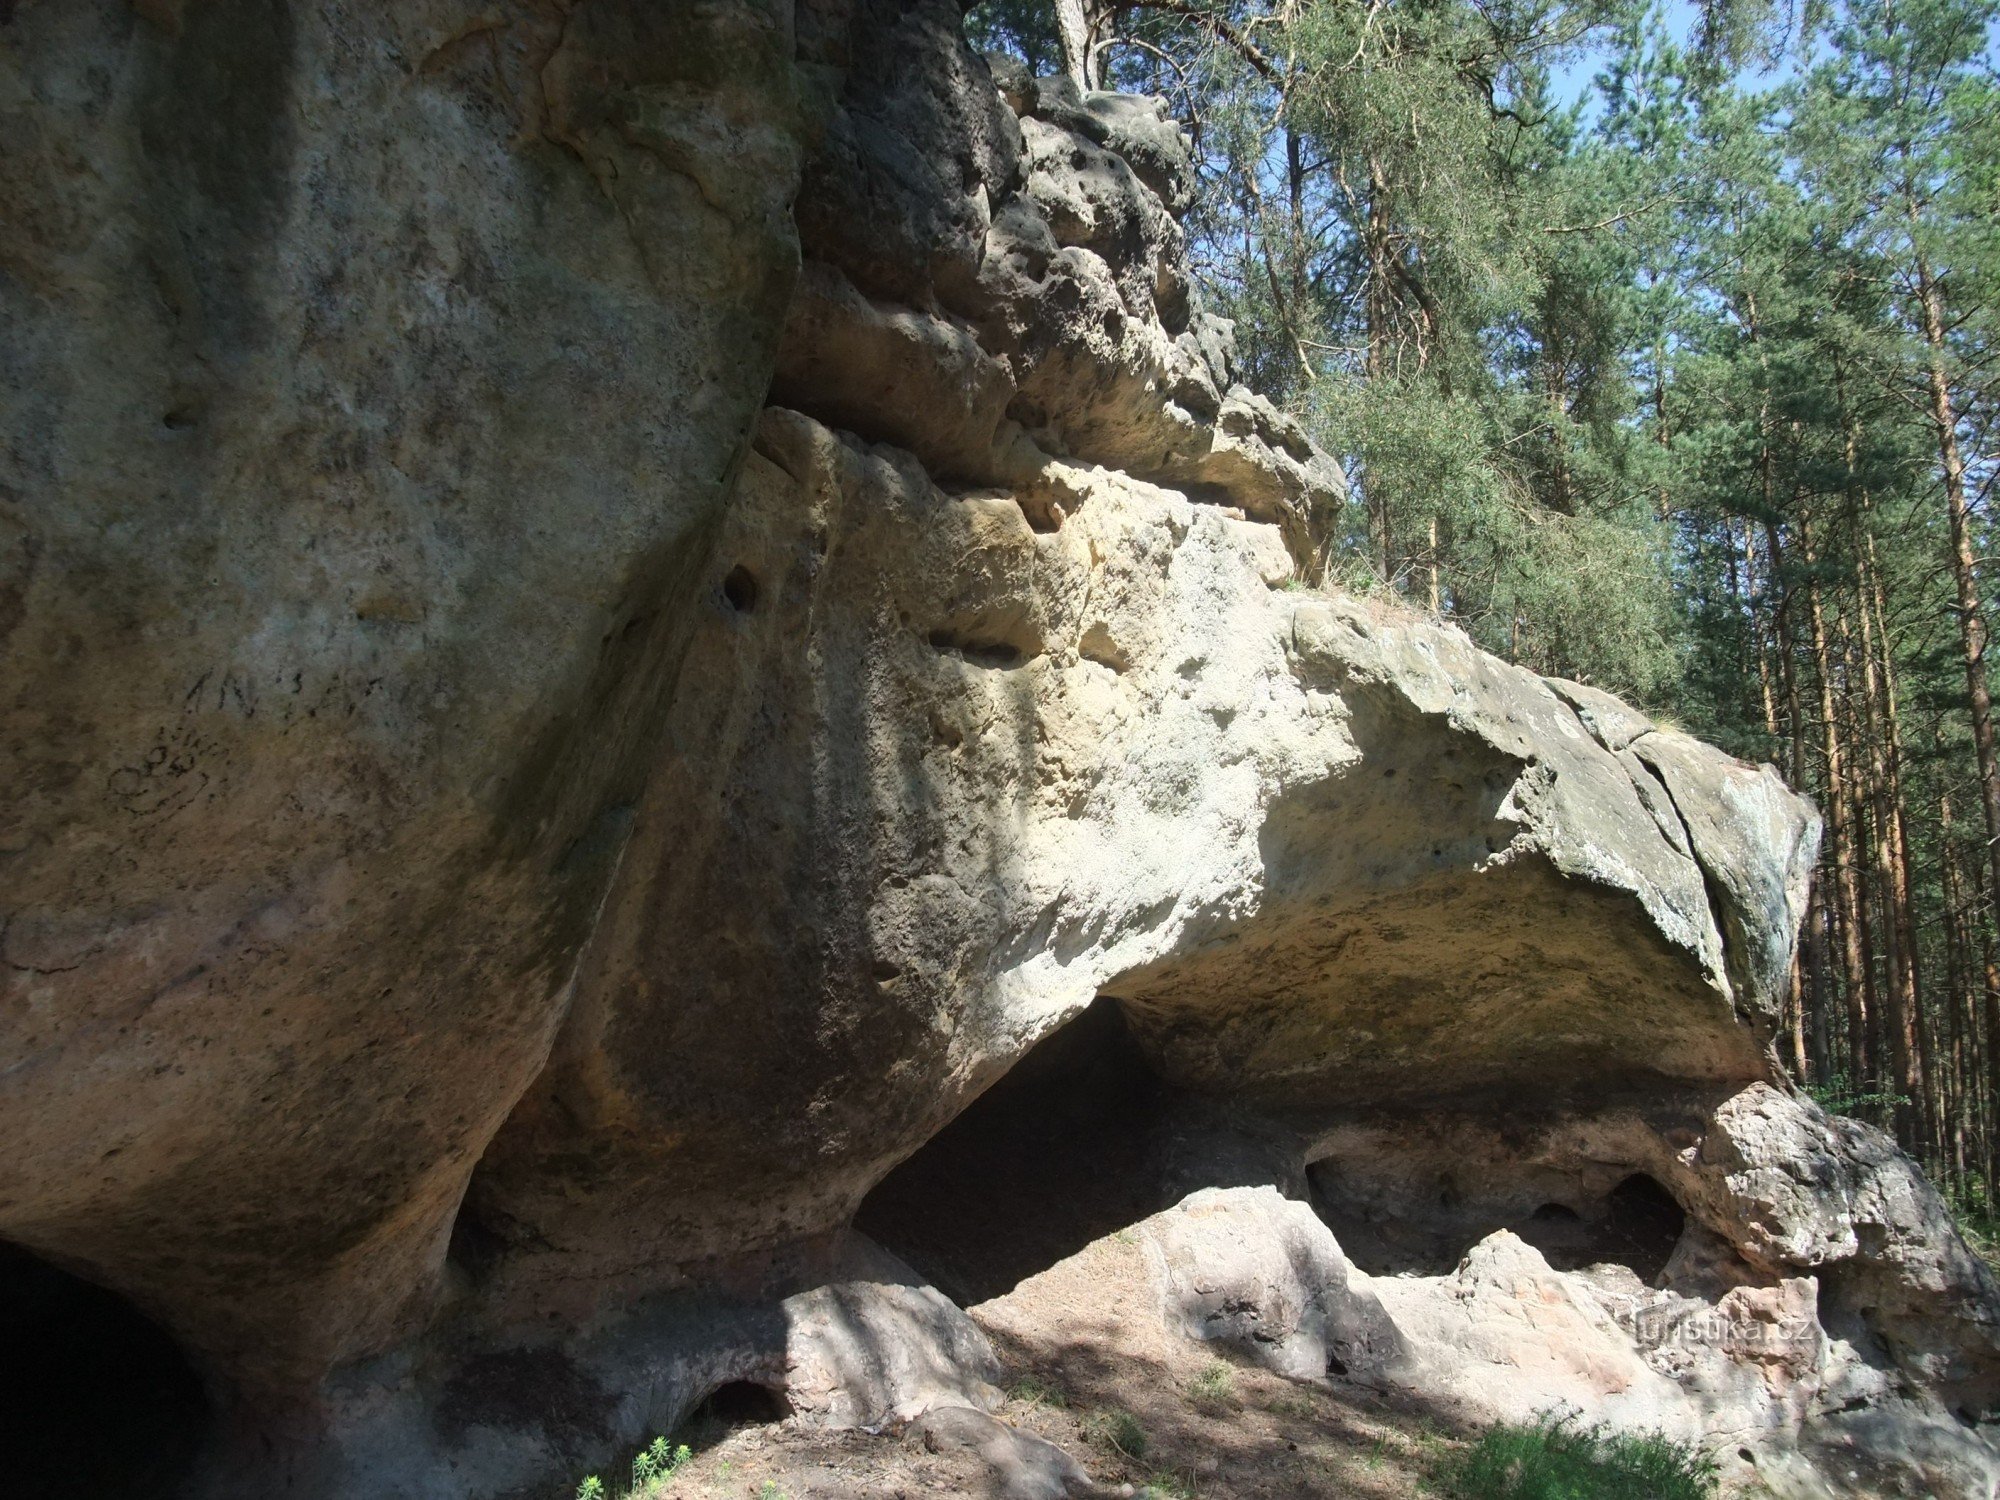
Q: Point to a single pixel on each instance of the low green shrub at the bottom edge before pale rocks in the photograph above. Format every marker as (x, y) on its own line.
(1559, 1459)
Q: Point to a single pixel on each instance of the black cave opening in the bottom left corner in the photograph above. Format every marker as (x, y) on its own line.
(95, 1397)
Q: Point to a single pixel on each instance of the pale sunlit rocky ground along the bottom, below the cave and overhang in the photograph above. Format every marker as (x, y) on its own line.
(1229, 1349)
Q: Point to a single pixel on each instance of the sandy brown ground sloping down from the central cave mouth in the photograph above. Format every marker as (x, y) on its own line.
(1093, 1371)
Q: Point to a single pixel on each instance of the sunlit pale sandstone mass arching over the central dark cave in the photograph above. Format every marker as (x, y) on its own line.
(991, 773)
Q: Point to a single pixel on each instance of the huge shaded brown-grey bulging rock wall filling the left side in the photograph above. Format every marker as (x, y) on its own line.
(373, 379)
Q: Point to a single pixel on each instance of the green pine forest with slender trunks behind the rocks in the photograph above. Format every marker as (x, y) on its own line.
(1685, 389)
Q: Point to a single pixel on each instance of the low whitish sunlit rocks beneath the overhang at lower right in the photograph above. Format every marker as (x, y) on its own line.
(1765, 1375)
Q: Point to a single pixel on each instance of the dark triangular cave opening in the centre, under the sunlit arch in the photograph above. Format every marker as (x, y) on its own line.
(1063, 1151)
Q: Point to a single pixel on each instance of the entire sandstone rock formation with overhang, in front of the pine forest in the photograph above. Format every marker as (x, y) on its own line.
(613, 611)
